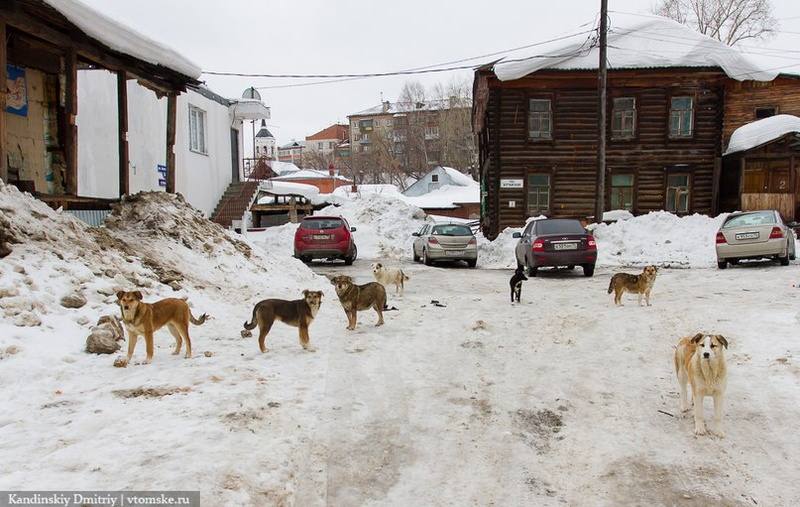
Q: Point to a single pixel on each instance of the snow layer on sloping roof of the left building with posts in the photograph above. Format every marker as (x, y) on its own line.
(122, 38)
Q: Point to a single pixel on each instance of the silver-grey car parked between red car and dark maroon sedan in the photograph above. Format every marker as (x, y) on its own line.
(445, 242)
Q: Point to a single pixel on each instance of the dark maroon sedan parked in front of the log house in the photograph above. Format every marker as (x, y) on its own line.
(555, 242)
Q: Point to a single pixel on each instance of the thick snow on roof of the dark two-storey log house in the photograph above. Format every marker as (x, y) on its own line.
(635, 42)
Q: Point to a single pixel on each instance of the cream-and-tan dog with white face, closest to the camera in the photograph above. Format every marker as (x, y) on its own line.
(700, 361)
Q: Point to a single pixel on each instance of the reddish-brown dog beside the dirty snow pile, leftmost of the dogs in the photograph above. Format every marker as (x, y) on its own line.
(142, 318)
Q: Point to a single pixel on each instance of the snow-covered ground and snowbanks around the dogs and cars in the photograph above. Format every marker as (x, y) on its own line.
(562, 399)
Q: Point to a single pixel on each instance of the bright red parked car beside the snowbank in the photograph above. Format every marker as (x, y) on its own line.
(320, 237)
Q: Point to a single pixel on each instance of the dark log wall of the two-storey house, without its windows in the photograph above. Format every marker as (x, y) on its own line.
(571, 156)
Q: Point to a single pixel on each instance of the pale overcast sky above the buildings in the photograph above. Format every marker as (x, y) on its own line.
(357, 37)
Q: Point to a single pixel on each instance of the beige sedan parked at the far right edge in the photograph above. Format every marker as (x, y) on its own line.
(755, 235)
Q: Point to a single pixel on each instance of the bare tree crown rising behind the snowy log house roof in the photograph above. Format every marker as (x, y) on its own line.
(729, 21)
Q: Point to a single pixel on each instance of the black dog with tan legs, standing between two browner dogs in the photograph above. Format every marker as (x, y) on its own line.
(299, 313)
